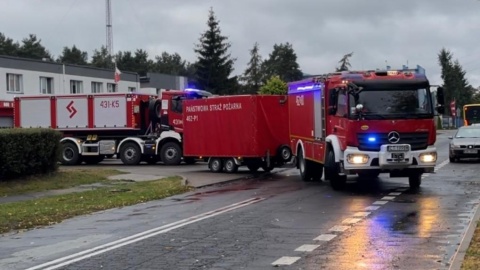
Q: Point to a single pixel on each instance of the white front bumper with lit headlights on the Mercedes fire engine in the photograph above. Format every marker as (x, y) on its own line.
(355, 160)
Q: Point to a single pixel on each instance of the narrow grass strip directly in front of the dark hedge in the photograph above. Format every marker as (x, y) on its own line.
(58, 180)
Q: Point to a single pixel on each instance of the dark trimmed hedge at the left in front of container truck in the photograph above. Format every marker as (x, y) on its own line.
(28, 151)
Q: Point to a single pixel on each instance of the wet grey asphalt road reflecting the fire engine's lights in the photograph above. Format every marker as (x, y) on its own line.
(294, 225)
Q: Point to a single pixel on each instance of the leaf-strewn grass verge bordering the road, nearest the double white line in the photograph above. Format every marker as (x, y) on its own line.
(50, 210)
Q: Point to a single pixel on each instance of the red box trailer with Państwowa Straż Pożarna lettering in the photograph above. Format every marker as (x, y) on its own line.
(231, 131)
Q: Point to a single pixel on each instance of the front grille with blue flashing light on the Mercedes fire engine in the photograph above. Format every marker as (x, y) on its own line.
(418, 141)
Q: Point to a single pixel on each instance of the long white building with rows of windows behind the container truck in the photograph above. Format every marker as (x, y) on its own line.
(20, 76)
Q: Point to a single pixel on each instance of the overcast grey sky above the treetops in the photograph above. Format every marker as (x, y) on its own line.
(377, 31)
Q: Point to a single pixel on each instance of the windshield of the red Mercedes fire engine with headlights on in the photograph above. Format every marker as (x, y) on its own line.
(391, 104)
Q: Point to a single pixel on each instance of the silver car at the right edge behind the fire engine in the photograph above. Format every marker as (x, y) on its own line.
(465, 143)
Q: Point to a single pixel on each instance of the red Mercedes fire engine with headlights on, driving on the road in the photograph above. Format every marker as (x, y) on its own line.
(364, 123)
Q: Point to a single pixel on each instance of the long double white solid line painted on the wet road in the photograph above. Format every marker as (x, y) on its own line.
(141, 236)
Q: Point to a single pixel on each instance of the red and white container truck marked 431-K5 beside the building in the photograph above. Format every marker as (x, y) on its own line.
(135, 127)
